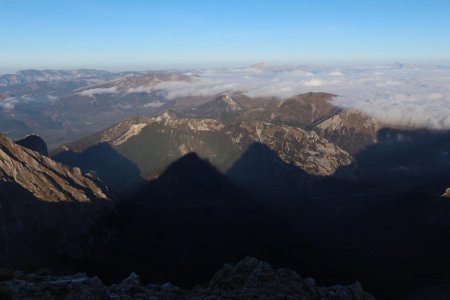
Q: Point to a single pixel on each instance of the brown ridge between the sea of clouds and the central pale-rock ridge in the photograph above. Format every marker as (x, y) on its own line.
(350, 129)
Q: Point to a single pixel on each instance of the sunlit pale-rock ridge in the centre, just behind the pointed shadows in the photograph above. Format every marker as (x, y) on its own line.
(153, 143)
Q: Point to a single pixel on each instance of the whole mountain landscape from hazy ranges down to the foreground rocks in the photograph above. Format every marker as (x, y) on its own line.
(172, 187)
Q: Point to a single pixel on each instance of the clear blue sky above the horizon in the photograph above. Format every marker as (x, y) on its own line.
(163, 34)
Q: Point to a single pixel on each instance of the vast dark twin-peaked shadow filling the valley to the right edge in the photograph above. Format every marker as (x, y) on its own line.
(385, 225)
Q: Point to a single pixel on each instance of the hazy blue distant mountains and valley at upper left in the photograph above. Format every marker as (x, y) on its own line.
(65, 105)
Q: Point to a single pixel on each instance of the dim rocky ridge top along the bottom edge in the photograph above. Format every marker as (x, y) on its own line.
(249, 279)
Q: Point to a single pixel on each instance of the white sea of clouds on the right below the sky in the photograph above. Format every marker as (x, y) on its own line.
(397, 94)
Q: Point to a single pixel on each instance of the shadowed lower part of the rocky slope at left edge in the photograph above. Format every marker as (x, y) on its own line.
(41, 234)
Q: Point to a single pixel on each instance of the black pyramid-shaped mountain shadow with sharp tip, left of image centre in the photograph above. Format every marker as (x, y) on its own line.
(191, 219)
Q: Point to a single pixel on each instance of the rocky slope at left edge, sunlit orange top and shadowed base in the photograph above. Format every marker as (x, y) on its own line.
(48, 211)
